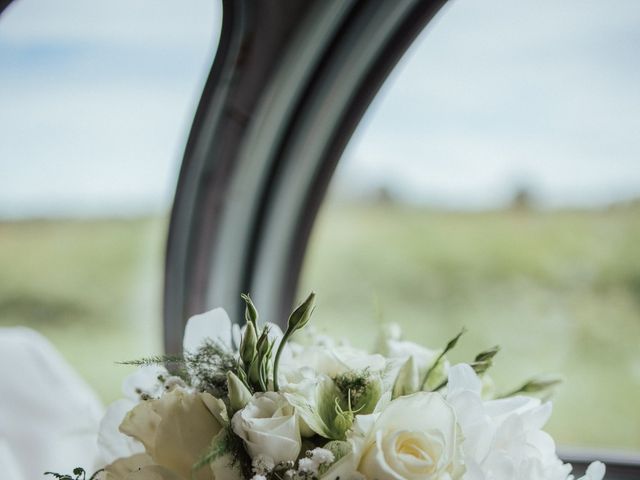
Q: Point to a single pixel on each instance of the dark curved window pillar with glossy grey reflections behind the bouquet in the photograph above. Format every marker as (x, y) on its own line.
(289, 84)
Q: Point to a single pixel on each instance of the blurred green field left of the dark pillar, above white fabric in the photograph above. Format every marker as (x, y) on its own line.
(92, 287)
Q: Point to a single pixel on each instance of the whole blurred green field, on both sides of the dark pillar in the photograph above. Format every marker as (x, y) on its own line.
(559, 291)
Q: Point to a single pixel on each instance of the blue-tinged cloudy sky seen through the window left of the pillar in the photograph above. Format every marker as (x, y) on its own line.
(96, 101)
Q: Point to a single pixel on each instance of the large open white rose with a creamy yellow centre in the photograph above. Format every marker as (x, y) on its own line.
(414, 438)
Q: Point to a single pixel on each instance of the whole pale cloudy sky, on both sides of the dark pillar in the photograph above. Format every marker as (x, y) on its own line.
(96, 100)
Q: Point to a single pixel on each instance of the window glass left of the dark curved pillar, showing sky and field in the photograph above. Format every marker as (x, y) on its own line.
(97, 100)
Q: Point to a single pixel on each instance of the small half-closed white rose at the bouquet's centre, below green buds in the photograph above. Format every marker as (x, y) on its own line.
(269, 426)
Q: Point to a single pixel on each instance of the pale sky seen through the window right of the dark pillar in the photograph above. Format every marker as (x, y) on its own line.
(497, 95)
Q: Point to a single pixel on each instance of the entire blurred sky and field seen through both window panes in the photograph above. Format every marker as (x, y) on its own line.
(494, 184)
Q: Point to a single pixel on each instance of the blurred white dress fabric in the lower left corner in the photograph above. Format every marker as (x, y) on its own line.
(49, 417)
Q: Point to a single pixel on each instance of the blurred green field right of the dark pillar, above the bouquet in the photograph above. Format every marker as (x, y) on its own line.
(558, 291)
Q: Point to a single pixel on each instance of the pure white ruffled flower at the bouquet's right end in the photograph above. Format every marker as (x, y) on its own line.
(503, 438)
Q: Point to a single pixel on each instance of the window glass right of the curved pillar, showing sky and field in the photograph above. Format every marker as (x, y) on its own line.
(495, 184)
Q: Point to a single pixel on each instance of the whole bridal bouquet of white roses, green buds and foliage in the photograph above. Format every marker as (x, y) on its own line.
(261, 404)
